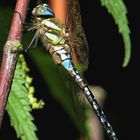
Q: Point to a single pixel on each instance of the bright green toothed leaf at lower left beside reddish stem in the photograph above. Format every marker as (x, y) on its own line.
(19, 106)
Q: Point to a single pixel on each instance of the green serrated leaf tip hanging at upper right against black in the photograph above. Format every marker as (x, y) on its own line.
(118, 10)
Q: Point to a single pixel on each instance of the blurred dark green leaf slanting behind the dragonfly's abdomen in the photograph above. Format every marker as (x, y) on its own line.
(60, 85)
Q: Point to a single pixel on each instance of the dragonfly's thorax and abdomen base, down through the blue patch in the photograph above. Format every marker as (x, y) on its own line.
(54, 37)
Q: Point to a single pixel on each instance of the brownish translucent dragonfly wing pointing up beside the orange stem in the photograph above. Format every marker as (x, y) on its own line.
(77, 39)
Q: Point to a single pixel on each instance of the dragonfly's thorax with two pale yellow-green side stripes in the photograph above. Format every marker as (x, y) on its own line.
(51, 31)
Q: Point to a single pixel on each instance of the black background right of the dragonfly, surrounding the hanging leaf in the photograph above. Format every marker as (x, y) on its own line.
(106, 55)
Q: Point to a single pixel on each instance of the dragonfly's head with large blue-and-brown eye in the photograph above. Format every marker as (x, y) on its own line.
(43, 11)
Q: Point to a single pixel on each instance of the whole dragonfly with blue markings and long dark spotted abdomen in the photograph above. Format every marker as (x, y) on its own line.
(67, 48)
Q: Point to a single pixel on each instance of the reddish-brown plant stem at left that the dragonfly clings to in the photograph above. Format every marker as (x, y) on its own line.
(10, 53)
